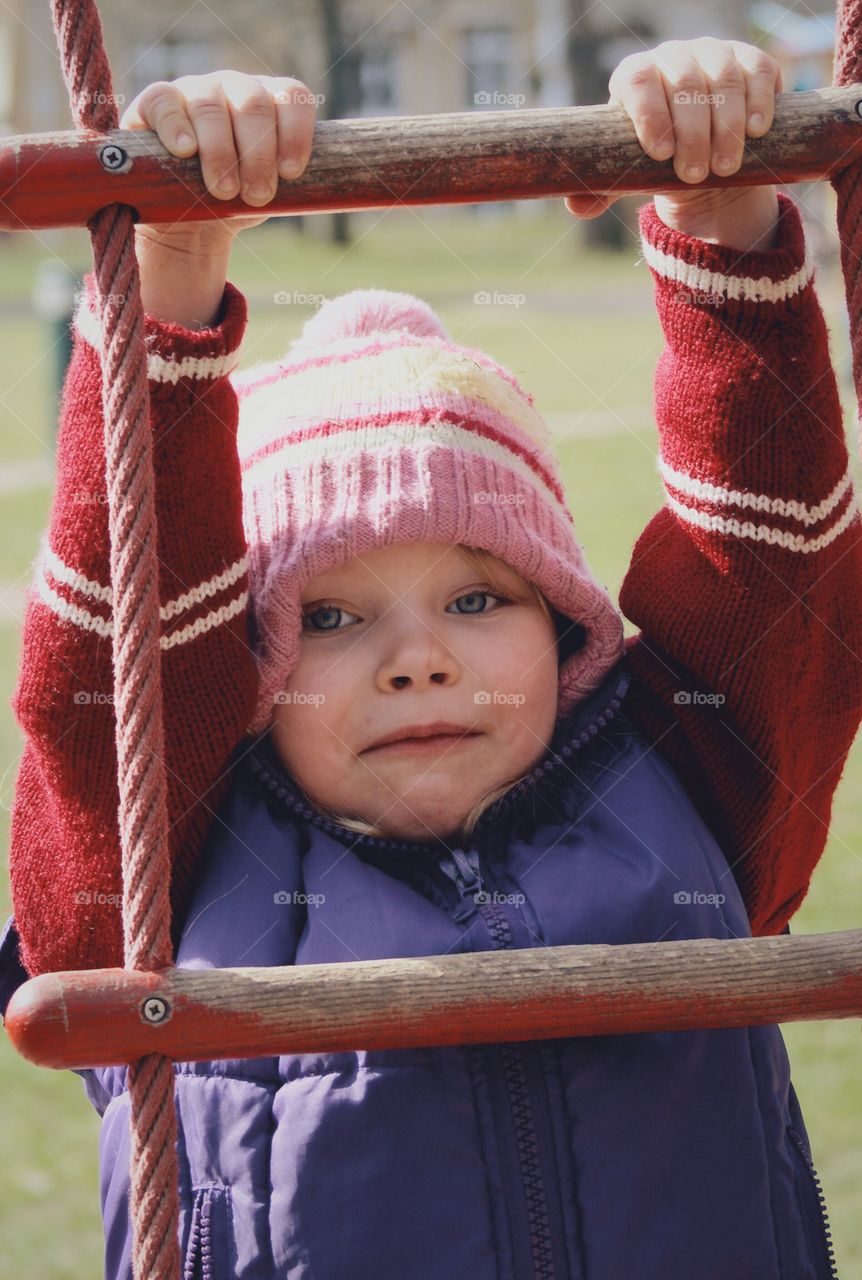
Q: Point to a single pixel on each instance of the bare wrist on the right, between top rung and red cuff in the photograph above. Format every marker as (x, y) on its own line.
(742, 218)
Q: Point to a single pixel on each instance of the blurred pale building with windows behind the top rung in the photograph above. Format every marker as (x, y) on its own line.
(403, 58)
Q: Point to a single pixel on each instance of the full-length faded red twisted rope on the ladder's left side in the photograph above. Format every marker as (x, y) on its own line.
(138, 657)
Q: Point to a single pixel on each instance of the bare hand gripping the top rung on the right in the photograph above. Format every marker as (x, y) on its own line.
(695, 100)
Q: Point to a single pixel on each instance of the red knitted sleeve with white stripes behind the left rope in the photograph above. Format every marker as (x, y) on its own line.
(66, 866)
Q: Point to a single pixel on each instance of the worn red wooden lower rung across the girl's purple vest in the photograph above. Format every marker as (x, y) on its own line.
(110, 1017)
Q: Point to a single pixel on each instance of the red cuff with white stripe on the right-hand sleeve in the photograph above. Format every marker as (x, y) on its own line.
(710, 276)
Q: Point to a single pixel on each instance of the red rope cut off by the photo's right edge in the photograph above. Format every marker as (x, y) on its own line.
(849, 184)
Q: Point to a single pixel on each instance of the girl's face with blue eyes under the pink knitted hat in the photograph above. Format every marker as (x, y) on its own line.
(405, 637)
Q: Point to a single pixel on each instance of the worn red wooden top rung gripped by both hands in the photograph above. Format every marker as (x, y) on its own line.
(62, 180)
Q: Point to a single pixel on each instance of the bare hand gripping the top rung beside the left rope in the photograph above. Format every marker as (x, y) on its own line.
(248, 130)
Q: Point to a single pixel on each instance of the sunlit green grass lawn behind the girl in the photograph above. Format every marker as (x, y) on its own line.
(581, 331)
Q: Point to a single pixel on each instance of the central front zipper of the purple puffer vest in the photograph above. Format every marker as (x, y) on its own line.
(464, 871)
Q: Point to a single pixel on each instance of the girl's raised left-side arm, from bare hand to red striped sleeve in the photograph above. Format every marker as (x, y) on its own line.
(66, 857)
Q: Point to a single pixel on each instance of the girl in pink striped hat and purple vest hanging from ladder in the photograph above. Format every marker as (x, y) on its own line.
(403, 721)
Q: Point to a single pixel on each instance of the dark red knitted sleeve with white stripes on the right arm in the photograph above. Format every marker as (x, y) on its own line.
(747, 586)
